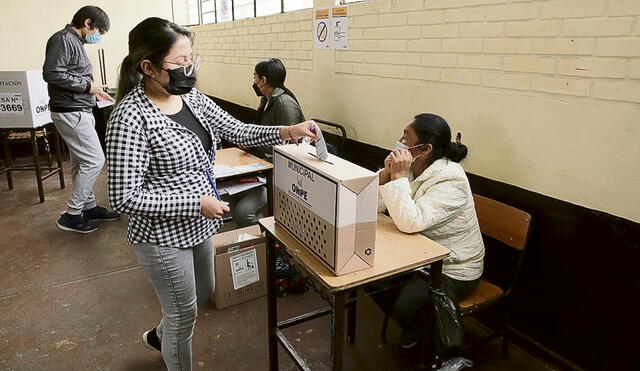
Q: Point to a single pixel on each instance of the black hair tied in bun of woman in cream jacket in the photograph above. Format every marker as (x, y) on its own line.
(433, 129)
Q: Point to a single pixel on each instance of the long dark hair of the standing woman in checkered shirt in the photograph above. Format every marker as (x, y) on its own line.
(151, 39)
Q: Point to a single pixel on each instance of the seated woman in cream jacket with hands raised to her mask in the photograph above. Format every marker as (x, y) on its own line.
(425, 190)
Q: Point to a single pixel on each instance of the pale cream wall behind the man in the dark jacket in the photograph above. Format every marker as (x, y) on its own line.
(26, 25)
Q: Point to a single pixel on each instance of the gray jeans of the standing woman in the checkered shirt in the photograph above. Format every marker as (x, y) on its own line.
(182, 280)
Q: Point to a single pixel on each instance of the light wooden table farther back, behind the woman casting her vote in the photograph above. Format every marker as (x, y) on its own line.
(236, 157)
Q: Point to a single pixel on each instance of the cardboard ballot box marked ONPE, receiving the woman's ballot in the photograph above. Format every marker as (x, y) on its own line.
(329, 206)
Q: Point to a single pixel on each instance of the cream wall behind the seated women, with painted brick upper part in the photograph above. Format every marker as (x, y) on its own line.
(545, 92)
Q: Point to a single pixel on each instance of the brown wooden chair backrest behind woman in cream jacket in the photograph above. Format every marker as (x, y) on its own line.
(505, 223)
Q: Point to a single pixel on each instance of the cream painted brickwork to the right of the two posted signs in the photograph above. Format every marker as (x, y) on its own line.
(587, 48)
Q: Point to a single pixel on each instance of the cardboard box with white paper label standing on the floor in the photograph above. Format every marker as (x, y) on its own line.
(240, 266)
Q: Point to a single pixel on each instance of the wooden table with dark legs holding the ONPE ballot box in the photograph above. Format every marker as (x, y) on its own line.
(396, 253)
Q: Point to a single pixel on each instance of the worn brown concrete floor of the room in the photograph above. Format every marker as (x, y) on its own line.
(80, 302)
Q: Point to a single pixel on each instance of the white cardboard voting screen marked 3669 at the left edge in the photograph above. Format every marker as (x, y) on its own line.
(24, 100)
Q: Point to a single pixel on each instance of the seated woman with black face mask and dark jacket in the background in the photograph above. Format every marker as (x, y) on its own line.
(278, 106)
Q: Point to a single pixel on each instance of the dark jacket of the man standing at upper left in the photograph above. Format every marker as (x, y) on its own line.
(68, 72)
